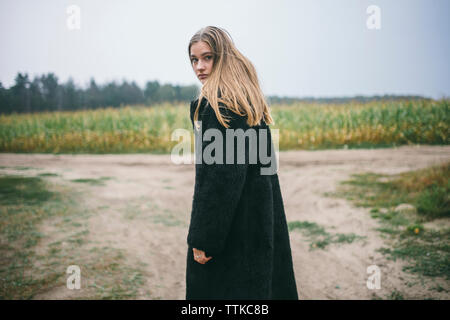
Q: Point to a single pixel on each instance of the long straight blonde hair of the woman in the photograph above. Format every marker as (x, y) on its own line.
(233, 80)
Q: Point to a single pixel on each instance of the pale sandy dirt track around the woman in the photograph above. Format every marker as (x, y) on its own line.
(146, 207)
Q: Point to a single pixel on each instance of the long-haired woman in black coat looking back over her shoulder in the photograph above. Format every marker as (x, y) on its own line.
(238, 241)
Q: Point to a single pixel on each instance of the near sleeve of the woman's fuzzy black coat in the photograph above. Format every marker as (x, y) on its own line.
(217, 191)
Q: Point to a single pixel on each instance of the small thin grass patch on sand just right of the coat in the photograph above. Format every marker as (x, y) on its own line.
(318, 237)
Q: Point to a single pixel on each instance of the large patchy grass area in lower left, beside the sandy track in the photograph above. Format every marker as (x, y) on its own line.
(28, 269)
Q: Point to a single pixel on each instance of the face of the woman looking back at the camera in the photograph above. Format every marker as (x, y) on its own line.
(202, 60)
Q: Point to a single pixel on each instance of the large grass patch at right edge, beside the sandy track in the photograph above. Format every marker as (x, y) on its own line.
(427, 251)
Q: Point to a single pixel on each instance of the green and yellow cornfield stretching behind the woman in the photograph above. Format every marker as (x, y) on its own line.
(139, 129)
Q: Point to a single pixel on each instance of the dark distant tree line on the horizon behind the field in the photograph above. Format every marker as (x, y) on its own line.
(45, 93)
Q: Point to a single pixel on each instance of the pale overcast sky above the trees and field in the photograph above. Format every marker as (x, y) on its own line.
(300, 48)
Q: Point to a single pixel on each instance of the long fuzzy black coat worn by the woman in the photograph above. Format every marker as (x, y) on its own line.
(237, 218)
